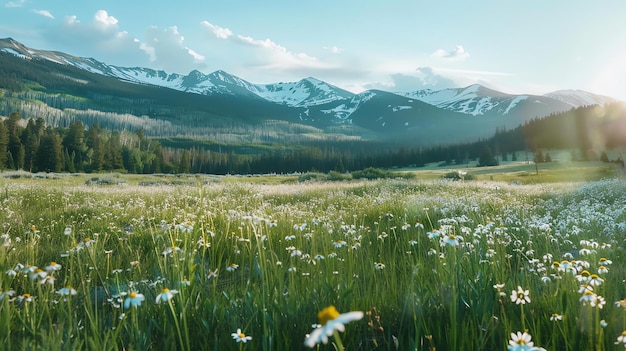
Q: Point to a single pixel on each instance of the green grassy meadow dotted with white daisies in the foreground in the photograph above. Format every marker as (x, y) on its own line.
(121, 262)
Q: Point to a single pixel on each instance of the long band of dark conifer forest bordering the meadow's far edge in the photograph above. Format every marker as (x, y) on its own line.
(32, 145)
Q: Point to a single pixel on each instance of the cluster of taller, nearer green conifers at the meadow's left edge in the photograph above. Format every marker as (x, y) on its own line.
(36, 147)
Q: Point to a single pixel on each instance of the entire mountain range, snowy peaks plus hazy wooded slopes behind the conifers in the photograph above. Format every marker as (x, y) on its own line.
(61, 88)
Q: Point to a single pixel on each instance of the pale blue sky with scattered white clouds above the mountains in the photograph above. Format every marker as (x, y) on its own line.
(531, 47)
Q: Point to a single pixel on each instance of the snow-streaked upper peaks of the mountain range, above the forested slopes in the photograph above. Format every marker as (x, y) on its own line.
(473, 100)
